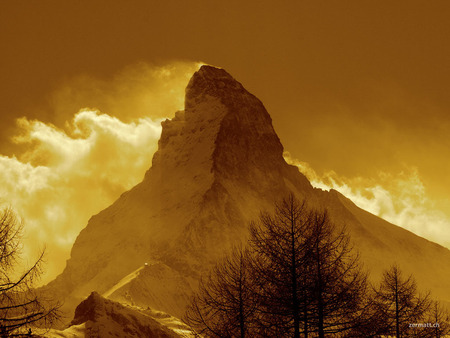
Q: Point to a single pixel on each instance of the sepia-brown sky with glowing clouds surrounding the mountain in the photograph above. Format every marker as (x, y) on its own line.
(358, 92)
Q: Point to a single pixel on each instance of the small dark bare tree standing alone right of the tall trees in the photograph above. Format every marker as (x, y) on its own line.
(399, 303)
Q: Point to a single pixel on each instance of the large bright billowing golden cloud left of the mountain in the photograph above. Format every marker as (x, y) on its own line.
(68, 175)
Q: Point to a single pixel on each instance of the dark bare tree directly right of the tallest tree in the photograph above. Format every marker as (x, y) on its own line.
(339, 283)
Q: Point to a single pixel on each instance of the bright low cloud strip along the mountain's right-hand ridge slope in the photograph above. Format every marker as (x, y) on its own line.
(400, 199)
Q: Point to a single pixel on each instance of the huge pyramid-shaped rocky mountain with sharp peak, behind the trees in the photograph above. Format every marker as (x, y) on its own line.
(219, 163)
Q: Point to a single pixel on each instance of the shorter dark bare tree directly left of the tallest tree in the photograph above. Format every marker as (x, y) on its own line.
(225, 304)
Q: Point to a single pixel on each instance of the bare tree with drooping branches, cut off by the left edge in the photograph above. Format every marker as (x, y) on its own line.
(21, 308)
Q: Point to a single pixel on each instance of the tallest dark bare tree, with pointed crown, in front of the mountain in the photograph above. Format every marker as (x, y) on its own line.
(281, 268)
